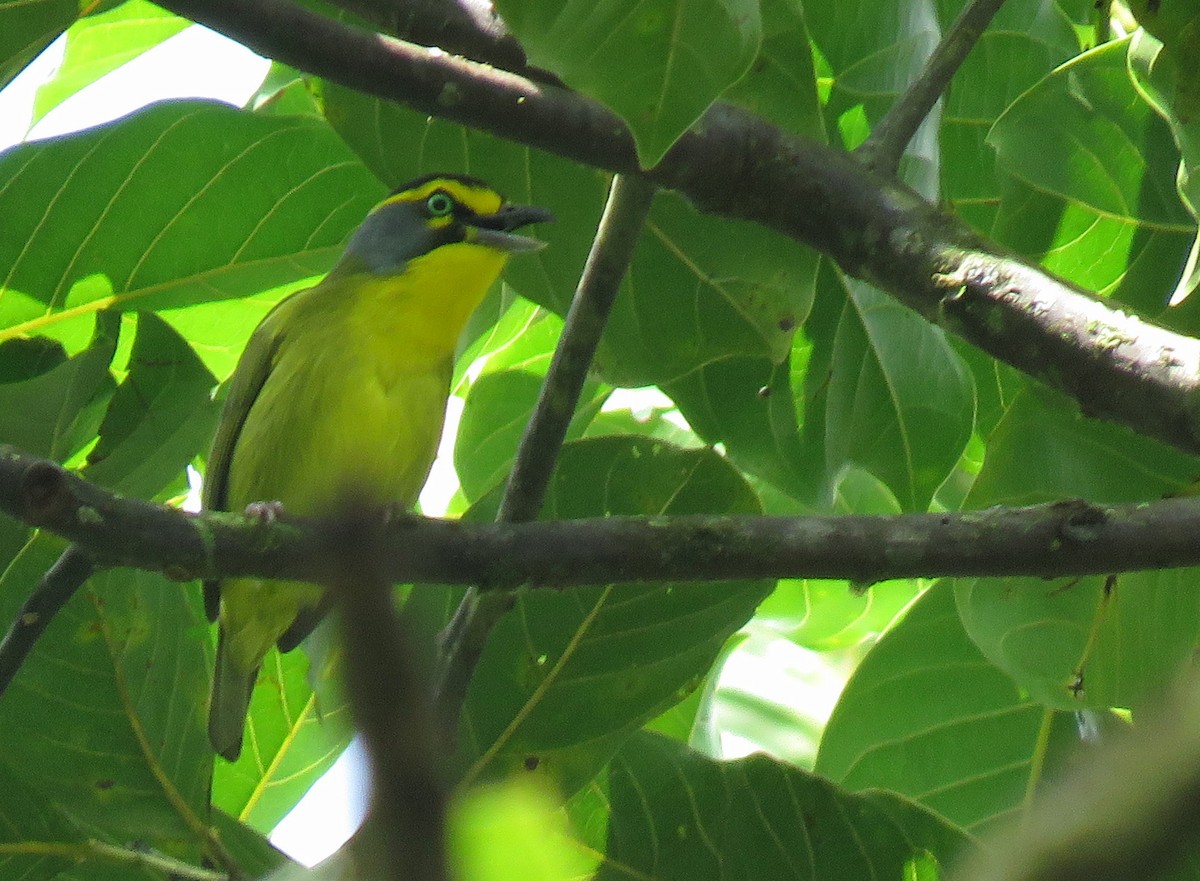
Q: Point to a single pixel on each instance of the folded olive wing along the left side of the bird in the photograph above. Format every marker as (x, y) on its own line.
(248, 381)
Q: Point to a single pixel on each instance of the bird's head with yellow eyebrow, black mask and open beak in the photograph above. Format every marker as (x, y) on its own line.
(437, 212)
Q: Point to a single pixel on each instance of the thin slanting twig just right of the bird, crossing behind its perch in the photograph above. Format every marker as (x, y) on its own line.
(625, 217)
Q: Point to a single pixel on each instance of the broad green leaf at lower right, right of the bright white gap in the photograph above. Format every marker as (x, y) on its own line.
(928, 717)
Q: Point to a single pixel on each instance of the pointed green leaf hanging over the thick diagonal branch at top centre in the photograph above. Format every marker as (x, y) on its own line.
(658, 64)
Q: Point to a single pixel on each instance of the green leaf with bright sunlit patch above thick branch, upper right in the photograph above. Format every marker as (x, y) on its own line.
(1095, 195)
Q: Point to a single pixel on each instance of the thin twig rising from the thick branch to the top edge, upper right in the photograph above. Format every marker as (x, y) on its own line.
(883, 151)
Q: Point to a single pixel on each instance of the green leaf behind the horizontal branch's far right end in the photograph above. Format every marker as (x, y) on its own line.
(1071, 643)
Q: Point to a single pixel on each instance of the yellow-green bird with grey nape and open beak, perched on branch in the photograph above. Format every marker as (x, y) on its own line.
(340, 394)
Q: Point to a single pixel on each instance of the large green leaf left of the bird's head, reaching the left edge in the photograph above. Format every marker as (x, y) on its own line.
(112, 218)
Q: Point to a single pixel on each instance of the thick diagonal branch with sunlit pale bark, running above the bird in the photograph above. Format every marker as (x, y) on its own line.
(737, 165)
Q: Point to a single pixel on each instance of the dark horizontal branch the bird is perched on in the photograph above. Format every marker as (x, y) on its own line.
(1060, 540)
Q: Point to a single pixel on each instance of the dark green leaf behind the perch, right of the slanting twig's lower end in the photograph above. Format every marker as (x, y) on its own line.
(568, 675)
